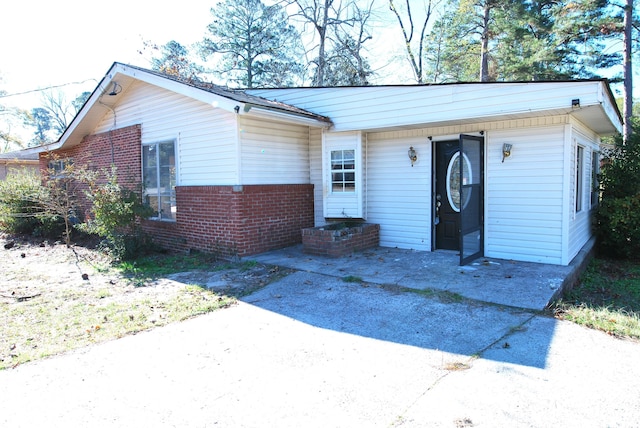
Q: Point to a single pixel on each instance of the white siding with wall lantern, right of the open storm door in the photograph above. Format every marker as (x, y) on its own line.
(524, 195)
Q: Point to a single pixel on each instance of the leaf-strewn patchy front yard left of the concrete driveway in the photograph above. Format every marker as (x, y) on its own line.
(54, 298)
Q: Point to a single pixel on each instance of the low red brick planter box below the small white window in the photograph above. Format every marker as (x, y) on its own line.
(335, 241)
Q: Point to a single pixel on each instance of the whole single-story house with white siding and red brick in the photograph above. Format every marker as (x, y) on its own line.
(504, 170)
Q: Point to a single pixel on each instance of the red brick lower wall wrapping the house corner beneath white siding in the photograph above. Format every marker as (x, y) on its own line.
(236, 220)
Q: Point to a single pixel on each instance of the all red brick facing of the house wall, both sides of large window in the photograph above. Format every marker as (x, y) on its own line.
(226, 220)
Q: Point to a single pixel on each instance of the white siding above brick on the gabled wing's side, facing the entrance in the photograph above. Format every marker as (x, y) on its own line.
(273, 152)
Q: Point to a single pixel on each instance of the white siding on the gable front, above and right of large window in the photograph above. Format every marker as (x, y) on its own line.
(207, 149)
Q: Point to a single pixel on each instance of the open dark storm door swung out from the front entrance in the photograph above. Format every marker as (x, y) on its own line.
(471, 198)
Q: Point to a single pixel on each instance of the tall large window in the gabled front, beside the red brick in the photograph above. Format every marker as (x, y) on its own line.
(159, 178)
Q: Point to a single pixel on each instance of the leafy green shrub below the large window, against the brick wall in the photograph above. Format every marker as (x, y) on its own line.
(116, 212)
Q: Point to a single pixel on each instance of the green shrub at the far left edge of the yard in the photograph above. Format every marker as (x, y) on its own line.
(22, 206)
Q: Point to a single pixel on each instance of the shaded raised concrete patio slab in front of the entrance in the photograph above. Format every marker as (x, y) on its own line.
(503, 282)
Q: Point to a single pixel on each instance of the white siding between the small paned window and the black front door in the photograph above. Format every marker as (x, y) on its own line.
(399, 195)
